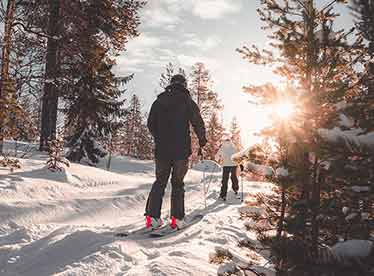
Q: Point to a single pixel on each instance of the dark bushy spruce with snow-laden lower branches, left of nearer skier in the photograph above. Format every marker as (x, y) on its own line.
(95, 103)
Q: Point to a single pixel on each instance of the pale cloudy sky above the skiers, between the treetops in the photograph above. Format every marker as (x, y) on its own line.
(208, 31)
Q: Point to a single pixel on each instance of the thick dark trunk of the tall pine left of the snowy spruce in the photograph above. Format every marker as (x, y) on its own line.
(50, 96)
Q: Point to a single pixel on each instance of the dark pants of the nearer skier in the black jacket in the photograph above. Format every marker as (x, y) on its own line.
(178, 170)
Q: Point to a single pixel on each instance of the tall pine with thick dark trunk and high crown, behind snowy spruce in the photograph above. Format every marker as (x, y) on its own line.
(110, 23)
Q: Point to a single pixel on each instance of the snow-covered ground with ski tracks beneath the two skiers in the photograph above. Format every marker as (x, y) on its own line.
(64, 223)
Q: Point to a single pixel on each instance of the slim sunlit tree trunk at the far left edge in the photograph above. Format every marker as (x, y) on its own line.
(5, 81)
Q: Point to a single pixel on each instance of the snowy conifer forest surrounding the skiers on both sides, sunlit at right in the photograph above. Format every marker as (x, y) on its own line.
(61, 99)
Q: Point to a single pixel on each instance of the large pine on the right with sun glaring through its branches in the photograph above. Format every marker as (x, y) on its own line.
(317, 61)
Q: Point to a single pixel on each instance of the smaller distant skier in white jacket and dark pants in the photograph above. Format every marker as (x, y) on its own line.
(229, 167)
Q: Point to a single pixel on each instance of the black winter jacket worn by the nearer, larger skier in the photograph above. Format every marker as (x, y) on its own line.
(169, 122)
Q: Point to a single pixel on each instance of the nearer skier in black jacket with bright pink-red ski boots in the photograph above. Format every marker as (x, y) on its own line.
(169, 122)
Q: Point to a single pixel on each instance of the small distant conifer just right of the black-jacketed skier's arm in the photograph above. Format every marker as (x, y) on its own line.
(214, 135)
